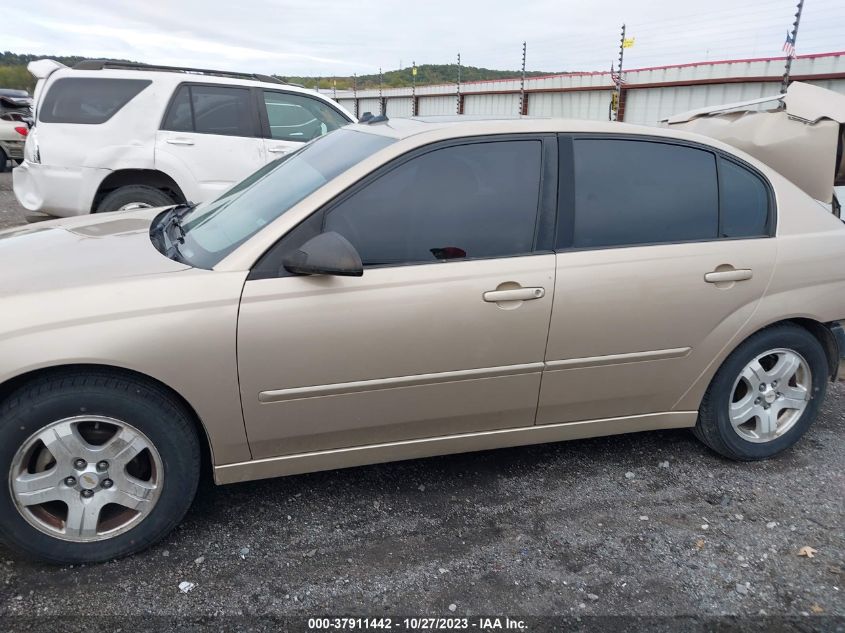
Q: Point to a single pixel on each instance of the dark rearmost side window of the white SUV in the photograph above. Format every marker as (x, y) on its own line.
(88, 100)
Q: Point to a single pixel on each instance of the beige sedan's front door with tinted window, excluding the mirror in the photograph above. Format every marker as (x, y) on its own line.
(445, 331)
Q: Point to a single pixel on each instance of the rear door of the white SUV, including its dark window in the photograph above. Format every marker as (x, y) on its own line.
(210, 138)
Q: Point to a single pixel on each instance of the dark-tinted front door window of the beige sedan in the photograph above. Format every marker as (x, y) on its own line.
(476, 200)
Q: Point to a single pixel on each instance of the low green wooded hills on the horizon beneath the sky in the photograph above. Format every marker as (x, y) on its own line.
(13, 74)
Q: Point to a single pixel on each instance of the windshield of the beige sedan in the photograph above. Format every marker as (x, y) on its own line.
(214, 229)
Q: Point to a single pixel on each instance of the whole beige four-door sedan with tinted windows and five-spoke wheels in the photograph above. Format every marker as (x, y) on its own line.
(401, 289)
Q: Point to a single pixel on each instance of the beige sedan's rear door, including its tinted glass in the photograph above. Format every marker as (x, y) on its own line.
(664, 251)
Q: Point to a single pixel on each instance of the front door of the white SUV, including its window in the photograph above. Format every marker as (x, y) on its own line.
(291, 119)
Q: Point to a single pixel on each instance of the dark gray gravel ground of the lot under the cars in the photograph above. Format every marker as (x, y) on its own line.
(641, 525)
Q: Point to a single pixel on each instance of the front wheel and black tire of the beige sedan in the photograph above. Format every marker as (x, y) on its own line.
(160, 481)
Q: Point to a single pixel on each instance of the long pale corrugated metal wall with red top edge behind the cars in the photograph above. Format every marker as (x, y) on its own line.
(650, 93)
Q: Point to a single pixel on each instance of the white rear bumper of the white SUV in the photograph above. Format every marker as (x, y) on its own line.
(59, 191)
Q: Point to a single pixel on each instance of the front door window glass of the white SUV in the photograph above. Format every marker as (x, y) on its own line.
(296, 118)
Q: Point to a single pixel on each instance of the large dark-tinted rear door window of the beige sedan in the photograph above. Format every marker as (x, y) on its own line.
(638, 192)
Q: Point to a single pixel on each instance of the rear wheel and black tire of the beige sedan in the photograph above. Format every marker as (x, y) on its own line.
(782, 409)
